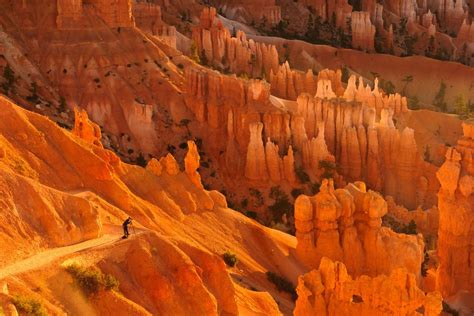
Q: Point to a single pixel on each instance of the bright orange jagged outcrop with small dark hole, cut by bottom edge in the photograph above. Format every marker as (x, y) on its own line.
(330, 290)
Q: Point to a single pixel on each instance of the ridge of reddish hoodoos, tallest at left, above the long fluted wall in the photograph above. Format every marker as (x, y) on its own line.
(234, 53)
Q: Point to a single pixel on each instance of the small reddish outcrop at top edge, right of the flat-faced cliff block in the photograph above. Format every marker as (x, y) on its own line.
(148, 18)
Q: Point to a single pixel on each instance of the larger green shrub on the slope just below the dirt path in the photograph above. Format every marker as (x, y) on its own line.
(91, 280)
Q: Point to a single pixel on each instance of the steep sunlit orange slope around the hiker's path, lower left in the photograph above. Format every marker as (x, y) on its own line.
(76, 190)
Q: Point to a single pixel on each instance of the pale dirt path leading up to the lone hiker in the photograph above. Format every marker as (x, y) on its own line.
(50, 255)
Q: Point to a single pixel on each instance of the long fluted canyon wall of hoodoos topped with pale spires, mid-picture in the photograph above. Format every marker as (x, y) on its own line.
(356, 131)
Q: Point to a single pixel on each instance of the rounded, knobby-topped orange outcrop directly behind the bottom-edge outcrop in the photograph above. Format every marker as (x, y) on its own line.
(345, 225)
